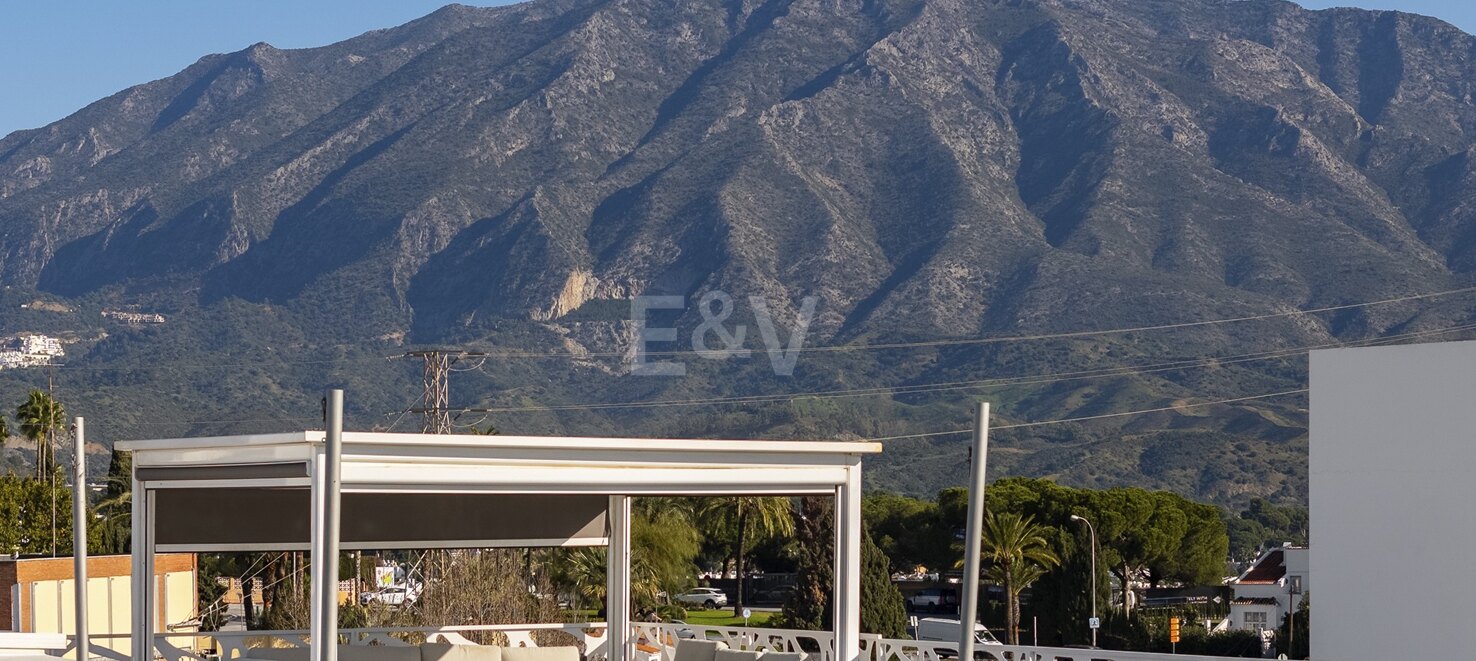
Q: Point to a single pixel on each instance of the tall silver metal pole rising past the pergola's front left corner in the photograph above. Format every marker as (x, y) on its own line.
(325, 535)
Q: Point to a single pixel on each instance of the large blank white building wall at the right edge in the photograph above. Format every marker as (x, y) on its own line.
(1393, 464)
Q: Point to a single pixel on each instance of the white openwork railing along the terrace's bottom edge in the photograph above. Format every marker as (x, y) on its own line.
(653, 641)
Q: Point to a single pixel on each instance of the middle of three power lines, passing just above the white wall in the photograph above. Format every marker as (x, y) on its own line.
(956, 386)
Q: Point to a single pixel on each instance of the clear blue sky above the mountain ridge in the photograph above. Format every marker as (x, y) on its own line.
(61, 55)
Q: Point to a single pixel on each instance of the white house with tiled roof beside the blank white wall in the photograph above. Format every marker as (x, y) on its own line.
(1272, 588)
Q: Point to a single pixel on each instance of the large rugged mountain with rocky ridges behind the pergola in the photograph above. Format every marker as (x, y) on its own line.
(928, 170)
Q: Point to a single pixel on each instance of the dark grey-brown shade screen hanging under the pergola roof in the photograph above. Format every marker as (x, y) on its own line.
(237, 519)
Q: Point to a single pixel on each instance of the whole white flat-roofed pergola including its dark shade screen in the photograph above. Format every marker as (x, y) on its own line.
(283, 492)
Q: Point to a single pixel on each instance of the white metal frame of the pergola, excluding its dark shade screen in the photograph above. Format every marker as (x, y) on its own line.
(426, 464)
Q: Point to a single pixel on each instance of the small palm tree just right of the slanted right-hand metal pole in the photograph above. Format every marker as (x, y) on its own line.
(1018, 554)
